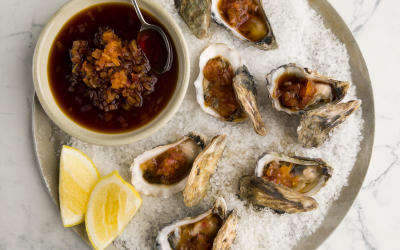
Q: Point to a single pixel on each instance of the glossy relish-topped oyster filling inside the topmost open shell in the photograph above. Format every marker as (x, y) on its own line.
(245, 16)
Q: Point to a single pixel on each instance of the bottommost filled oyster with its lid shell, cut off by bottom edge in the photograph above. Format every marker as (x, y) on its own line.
(212, 227)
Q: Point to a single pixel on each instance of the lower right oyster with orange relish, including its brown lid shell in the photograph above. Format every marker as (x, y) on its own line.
(284, 183)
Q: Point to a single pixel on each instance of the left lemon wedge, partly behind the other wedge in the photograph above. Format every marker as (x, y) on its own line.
(78, 174)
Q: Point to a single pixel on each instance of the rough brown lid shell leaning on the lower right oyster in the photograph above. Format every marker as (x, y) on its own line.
(260, 192)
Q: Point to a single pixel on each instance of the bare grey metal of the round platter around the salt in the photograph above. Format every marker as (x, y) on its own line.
(48, 150)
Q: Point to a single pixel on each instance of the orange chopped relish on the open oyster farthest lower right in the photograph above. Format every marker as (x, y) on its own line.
(280, 173)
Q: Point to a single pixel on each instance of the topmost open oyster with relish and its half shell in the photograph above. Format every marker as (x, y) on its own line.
(246, 20)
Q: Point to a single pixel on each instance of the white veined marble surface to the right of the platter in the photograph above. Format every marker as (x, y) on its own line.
(373, 222)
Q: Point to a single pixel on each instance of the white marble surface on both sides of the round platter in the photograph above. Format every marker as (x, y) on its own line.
(29, 220)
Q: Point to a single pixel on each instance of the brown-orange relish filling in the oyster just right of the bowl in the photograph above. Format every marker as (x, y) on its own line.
(219, 94)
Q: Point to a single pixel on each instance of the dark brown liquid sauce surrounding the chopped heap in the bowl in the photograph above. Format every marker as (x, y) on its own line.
(123, 20)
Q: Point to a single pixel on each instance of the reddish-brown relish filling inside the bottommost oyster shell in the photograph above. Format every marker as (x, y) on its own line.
(200, 235)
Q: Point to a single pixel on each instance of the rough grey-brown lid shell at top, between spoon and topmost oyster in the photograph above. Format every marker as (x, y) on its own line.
(196, 14)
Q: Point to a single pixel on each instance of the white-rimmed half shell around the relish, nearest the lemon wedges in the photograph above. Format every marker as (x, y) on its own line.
(191, 146)
